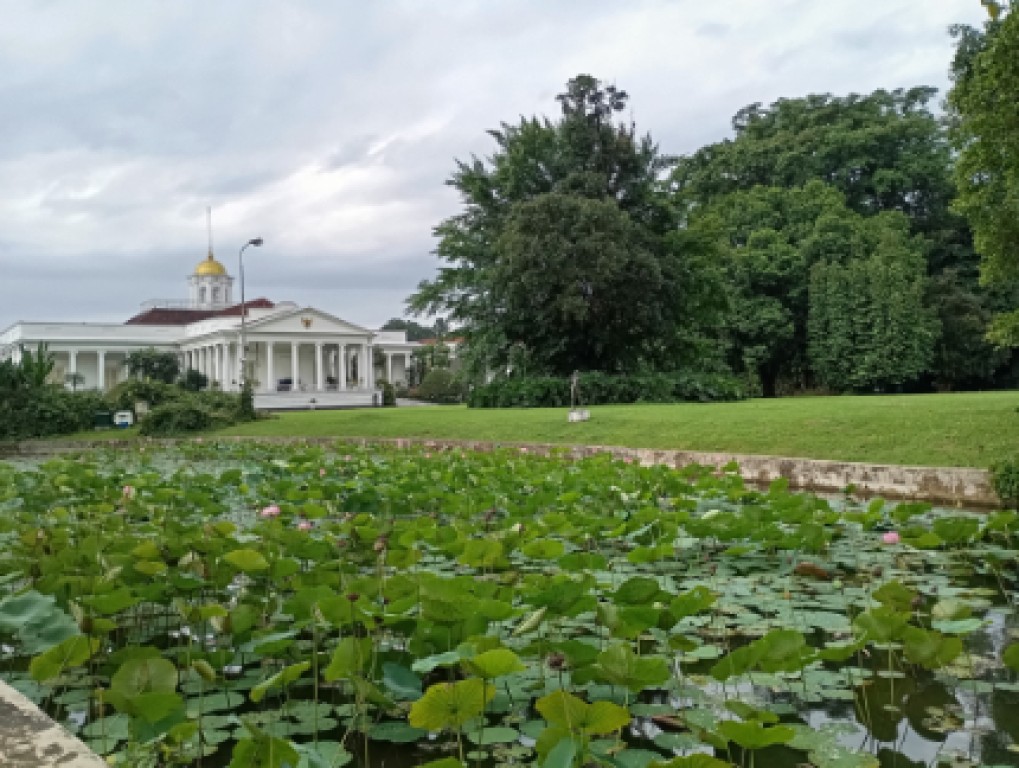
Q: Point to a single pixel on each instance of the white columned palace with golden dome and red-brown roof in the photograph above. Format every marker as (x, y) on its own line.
(290, 349)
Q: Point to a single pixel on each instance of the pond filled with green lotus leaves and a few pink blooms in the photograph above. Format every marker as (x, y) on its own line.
(252, 606)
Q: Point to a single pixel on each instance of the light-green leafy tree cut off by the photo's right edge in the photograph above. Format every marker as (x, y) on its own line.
(985, 100)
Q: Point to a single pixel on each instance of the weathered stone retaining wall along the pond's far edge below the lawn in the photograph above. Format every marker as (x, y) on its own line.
(952, 486)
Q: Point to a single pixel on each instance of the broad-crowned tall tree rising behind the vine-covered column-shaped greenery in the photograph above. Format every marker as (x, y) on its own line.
(886, 152)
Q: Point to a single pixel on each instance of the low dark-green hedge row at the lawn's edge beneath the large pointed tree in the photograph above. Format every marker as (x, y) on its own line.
(599, 389)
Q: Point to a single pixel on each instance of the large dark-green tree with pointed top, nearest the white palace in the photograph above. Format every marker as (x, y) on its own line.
(567, 247)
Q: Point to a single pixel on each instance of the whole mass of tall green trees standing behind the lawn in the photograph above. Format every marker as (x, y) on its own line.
(823, 246)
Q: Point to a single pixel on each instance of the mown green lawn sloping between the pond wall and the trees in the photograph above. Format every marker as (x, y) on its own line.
(935, 430)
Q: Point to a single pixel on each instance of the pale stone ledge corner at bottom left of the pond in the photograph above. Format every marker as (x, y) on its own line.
(30, 739)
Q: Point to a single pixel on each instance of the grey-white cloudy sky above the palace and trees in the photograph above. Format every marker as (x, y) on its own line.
(330, 127)
